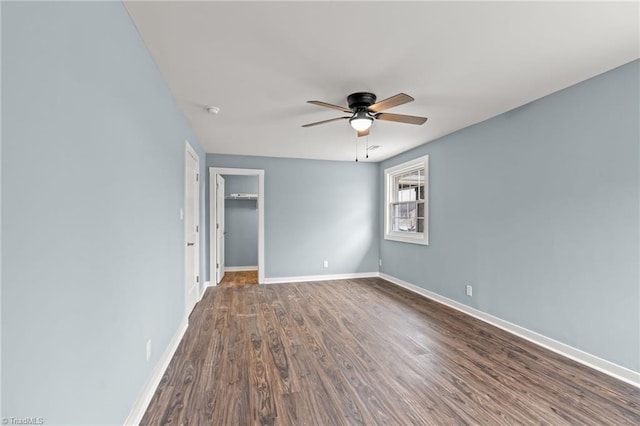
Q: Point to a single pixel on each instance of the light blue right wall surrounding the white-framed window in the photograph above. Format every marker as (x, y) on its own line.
(538, 209)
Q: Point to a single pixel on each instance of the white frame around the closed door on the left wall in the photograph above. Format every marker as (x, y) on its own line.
(189, 151)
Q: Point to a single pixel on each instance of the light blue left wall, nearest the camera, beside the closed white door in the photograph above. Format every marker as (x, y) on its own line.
(92, 186)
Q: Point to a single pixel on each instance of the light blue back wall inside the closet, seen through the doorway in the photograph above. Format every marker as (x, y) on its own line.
(241, 222)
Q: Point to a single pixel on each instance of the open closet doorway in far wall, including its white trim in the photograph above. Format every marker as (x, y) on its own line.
(237, 187)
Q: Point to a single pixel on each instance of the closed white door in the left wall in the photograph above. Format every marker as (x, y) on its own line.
(191, 228)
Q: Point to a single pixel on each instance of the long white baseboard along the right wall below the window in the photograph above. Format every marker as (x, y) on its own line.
(602, 365)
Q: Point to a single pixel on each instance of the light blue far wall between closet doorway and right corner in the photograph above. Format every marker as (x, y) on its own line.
(314, 211)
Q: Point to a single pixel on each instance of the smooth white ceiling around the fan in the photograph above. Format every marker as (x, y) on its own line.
(463, 62)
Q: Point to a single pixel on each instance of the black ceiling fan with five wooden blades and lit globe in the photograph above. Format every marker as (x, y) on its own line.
(364, 109)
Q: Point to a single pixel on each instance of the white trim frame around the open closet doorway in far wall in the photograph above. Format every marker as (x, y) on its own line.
(213, 171)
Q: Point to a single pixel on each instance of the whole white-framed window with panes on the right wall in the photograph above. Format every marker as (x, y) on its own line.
(406, 202)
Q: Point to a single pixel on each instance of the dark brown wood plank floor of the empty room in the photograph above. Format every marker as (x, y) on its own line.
(367, 352)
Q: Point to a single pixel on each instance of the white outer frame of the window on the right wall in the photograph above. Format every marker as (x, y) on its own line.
(389, 187)
